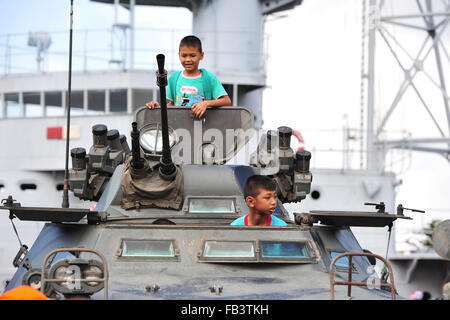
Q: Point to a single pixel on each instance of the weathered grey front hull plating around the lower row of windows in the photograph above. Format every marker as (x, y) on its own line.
(190, 278)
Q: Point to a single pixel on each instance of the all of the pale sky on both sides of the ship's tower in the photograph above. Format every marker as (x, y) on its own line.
(313, 74)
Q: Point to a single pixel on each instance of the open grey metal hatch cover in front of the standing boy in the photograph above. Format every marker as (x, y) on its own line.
(221, 133)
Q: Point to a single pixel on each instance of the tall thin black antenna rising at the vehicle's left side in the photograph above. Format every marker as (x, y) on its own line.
(65, 203)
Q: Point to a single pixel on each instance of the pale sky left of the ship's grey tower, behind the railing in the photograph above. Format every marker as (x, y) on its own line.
(98, 18)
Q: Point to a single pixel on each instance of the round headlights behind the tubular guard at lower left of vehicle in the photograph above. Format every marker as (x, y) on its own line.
(77, 276)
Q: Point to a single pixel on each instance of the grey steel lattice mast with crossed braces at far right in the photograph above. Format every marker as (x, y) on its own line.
(411, 68)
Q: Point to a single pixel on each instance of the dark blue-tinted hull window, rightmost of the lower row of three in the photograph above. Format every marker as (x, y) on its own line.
(284, 250)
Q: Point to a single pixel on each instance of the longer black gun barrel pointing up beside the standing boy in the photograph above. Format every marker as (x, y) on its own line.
(167, 169)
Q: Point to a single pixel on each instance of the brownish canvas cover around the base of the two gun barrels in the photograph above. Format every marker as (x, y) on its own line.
(151, 191)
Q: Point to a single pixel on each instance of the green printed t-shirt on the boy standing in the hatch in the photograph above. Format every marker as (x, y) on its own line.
(189, 90)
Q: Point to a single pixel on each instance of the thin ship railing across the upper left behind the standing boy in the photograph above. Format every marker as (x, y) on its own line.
(112, 48)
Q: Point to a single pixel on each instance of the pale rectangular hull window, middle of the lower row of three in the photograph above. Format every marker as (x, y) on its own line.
(229, 249)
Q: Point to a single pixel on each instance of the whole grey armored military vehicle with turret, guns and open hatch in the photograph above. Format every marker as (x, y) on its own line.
(161, 226)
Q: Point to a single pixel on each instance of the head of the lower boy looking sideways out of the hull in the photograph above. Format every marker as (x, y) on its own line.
(260, 193)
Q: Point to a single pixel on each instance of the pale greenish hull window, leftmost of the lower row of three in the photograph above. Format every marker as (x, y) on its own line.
(148, 249)
